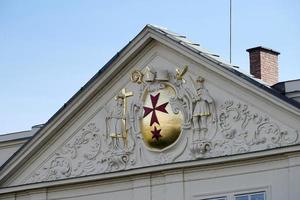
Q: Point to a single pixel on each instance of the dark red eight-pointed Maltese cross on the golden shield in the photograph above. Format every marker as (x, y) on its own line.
(161, 108)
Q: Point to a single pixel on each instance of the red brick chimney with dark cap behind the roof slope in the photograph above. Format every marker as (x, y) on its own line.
(264, 64)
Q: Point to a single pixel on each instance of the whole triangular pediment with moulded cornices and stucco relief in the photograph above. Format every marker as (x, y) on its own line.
(159, 101)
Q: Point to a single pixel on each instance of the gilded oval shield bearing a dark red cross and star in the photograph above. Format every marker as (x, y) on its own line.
(161, 127)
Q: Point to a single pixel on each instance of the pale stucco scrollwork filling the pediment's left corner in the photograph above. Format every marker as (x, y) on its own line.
(77, 157)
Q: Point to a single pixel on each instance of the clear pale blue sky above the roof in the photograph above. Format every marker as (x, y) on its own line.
(49, 49)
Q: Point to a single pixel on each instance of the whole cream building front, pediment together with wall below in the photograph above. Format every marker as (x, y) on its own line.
(163, 119)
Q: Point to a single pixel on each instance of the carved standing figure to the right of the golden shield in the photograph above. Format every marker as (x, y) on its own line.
(203, 106)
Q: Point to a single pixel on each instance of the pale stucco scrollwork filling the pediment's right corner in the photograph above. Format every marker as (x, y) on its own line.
(241, 130)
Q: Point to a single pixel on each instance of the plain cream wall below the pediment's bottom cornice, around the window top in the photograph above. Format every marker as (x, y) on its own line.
(279, 176)
